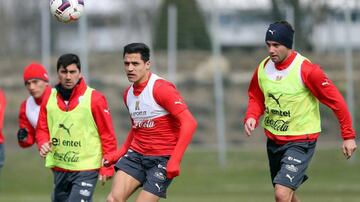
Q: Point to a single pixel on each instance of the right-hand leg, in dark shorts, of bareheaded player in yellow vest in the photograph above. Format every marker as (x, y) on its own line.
(83, 185)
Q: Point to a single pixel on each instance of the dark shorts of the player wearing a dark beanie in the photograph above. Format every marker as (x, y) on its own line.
(288, 163)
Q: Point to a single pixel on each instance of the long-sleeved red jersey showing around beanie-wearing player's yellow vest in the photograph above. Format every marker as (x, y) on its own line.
(319, 85)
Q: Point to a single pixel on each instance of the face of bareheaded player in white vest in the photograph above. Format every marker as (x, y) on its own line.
(136, 69)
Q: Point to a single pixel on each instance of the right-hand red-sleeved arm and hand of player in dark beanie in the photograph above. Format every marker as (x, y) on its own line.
(326, 92)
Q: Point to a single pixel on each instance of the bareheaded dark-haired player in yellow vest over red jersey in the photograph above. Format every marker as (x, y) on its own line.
(74, 131)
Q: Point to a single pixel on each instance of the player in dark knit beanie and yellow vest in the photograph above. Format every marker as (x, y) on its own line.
(286, 88)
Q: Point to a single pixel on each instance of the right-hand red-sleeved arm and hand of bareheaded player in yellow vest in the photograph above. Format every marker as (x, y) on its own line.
(104, 123)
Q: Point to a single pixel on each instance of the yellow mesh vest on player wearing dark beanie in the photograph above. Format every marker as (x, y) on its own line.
(290, 108)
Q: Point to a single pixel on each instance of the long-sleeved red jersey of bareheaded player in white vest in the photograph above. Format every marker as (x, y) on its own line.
(169, 135)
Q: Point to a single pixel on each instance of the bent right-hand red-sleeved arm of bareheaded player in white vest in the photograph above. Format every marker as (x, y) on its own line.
(170, 99)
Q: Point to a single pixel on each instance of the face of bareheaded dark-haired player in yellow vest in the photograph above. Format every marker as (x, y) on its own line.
(69, 76)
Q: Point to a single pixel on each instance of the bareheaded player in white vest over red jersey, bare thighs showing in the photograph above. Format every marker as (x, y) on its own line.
(162, 128)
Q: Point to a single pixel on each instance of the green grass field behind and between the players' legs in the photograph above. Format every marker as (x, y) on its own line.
(245, 178)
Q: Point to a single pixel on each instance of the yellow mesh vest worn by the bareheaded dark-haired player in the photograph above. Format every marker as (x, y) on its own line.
(75, 140)
